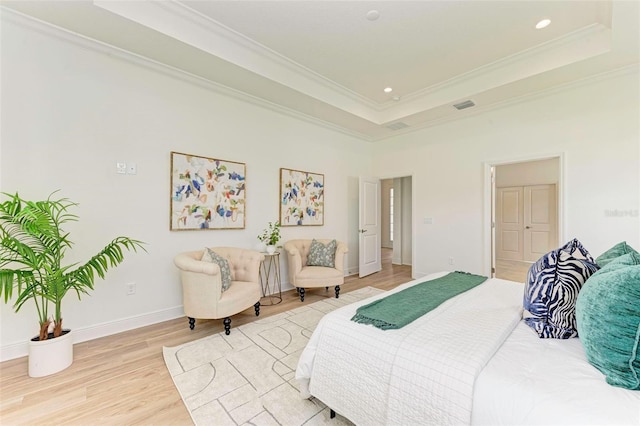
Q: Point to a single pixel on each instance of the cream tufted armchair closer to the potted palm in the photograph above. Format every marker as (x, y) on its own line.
(202, 284)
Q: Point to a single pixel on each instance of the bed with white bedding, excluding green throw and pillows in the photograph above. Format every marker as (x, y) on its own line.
(469, 361)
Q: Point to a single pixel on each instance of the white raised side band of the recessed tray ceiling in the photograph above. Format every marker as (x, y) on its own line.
(193, 28)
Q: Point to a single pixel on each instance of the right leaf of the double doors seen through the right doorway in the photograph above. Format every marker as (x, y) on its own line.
(540, 221)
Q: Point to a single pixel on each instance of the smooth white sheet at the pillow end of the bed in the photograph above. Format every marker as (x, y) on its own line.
(537, 381)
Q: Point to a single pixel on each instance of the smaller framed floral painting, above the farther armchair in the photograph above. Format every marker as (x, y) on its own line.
(301, 198)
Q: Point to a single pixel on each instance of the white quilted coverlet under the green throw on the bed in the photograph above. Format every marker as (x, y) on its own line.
(423, 373)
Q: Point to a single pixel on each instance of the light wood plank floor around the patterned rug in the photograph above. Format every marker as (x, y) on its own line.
(122, 379)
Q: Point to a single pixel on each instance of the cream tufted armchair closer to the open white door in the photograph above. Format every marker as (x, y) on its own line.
(304, 276)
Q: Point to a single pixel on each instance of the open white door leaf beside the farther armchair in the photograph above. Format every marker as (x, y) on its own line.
(369, 227)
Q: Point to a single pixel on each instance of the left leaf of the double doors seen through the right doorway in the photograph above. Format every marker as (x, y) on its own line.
(509, 223)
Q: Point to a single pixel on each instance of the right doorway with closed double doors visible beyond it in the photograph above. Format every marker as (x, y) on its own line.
(525, 214)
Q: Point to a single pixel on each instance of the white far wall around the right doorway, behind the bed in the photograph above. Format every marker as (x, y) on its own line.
(595, 125)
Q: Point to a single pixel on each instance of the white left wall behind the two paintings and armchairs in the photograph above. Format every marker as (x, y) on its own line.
(69, 113)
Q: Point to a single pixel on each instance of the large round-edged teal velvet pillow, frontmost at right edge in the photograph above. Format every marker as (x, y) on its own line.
(608, 317)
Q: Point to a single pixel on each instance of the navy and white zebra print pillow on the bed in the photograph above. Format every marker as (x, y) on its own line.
(552, 287)
